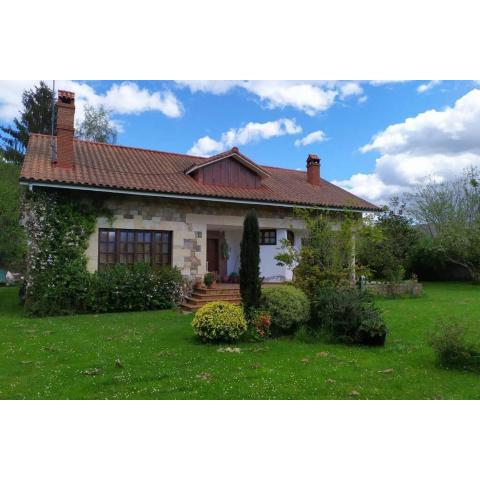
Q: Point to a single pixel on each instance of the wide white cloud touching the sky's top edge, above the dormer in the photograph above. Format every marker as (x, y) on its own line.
(311, 97)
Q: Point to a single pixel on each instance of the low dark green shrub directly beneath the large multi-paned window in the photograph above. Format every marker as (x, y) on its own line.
(136, 287)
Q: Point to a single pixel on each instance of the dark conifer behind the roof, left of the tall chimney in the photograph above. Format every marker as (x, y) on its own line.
(36, 117)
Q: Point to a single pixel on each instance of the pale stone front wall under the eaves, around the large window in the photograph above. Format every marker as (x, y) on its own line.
(188, 220)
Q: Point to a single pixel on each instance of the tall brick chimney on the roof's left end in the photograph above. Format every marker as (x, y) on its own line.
(65, 128)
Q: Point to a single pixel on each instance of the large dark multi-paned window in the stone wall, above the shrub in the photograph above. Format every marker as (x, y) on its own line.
(134, 246)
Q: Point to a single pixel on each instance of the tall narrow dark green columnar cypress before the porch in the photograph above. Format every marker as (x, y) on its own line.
(250, 282)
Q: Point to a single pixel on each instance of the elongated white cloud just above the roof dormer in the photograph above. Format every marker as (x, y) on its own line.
(249, 133)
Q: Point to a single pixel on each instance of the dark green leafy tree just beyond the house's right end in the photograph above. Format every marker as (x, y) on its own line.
(386, 244)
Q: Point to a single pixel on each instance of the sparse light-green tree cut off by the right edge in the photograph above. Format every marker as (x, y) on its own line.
(450, 214)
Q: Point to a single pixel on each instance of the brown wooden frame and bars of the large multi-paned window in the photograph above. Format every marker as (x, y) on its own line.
(117, 252)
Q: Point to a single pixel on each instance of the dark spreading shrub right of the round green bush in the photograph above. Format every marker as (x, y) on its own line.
(342, 312)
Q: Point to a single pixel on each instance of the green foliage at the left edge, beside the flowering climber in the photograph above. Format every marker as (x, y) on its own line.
(12, 238)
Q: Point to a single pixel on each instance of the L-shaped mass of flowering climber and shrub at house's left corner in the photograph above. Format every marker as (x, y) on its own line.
(57, 280)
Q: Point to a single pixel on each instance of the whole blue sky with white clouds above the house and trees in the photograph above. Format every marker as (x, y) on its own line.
(268, 120)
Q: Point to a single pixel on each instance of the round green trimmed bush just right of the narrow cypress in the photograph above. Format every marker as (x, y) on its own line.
(288, 306)
